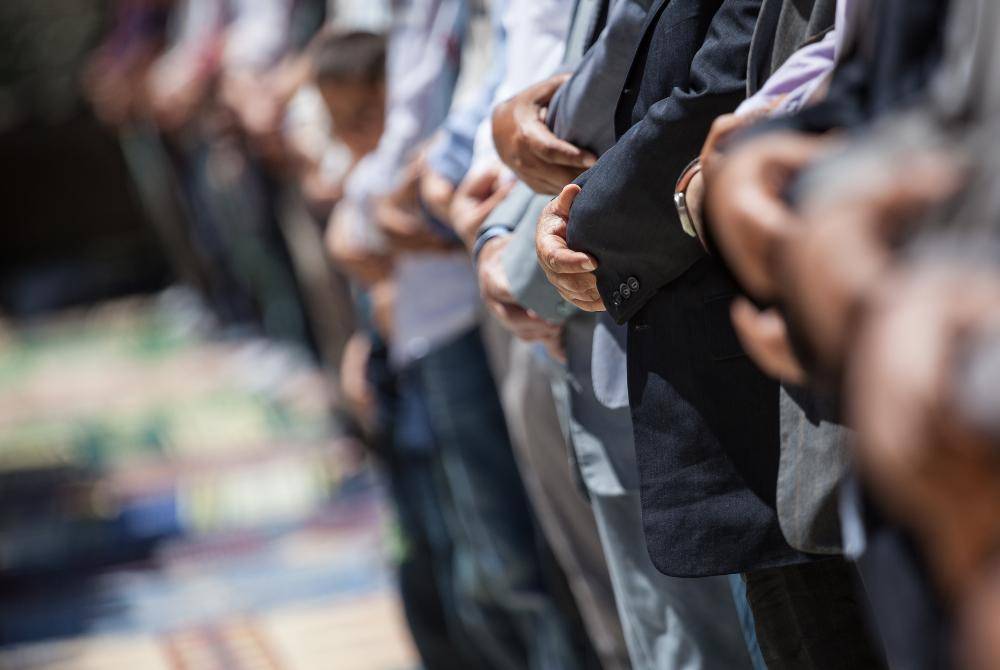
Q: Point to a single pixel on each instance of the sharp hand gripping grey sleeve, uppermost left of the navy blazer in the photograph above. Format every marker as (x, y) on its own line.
(527, 146)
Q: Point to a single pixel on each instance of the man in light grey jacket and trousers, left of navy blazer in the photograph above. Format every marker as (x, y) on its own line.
(669, 622)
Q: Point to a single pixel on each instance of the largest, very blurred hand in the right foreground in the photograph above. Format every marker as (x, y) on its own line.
(932, 469)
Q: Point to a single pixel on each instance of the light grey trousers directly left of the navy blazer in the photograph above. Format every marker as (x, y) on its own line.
(669, 623)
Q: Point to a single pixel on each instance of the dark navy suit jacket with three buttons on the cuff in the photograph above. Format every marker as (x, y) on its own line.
(705, 419)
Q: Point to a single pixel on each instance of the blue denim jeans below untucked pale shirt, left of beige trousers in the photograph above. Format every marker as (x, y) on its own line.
(496, 557)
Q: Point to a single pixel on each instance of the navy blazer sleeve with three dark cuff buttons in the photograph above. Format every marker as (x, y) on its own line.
(625, 216)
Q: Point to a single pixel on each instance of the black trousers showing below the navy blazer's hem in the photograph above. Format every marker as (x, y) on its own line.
(811, 615)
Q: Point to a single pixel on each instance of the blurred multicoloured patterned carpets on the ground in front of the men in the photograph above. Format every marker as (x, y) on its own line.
(171, 498)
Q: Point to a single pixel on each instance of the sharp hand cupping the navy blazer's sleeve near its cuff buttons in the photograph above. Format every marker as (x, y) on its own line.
(571, 272)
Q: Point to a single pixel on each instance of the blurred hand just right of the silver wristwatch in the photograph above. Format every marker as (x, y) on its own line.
(747, 215)
